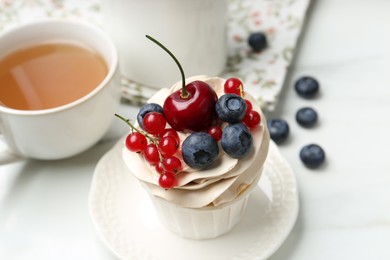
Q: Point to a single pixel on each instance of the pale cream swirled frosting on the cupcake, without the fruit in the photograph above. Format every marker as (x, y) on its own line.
(220, 183)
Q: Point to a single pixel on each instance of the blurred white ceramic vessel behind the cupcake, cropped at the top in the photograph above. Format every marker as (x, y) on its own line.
(195, 31)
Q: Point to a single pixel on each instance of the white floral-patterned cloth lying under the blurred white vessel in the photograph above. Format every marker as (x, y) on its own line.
(262, 73)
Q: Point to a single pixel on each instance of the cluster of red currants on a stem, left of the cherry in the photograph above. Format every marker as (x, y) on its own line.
(158, 145)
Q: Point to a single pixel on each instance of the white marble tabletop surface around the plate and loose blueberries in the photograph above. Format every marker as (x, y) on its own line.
(345, 205)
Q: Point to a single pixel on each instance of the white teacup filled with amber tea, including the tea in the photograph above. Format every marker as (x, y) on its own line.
(59, 88)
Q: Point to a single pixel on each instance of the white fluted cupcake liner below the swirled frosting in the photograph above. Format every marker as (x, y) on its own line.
(202, 223)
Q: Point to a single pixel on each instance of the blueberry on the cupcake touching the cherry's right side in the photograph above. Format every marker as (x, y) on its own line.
(231, 108)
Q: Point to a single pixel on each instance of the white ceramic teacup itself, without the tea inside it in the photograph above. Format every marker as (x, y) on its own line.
(69, 129)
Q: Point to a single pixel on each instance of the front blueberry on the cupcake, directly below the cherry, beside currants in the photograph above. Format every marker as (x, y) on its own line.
(200, 150)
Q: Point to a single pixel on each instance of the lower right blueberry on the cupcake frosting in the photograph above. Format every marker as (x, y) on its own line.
(236, 140)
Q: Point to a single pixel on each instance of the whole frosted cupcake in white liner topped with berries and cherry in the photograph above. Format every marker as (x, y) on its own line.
(199, 156)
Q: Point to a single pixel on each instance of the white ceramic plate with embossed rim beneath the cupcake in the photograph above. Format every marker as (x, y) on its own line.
(126, 222)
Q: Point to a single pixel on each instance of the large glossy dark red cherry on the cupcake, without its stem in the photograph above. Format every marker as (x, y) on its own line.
(194, 112)
